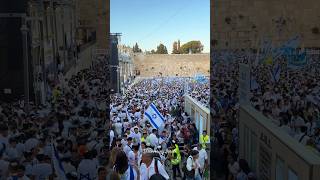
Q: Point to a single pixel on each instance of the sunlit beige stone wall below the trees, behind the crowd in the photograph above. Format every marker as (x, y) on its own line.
(170, 65)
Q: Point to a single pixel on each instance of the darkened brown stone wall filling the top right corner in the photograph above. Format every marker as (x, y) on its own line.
(244, 24)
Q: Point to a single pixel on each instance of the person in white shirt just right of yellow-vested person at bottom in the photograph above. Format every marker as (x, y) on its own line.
(192, 164)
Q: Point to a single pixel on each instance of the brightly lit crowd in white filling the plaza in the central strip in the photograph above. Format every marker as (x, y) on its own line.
(177, 139)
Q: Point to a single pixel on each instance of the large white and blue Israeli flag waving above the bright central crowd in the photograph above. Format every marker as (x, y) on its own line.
(154, 116)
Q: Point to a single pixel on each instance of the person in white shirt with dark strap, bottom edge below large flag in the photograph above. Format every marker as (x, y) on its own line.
(149, 167)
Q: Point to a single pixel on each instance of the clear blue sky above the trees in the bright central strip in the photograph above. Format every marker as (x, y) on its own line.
(151, 22)
